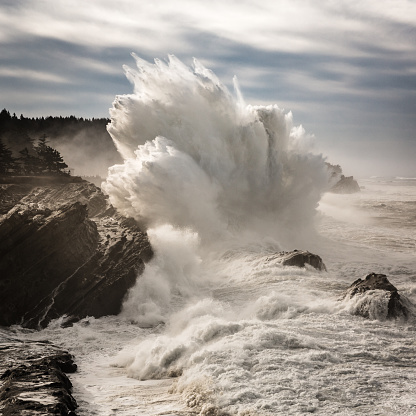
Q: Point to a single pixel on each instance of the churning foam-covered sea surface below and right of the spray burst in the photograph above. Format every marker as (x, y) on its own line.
(262, 339)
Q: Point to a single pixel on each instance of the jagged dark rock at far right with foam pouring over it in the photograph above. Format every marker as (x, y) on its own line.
(377, 298)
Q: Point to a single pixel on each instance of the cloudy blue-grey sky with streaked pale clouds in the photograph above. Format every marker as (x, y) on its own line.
(345, 68)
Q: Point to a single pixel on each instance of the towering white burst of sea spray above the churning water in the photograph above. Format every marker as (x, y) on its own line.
(196, 157)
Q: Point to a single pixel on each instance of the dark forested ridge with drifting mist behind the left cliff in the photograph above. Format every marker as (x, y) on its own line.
(54, 145)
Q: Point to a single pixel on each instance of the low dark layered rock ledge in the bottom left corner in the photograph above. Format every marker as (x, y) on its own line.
(33, 379)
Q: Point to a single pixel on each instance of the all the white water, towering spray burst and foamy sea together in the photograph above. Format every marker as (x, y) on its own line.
(215, 325)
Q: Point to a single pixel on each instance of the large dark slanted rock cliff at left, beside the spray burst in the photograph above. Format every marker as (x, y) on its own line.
(64, 250)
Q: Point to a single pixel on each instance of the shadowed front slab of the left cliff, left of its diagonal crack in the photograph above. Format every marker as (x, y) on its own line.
(39, 250)
